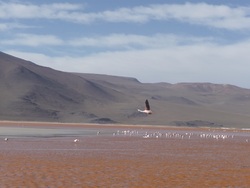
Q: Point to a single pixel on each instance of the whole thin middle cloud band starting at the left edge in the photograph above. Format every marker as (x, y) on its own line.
(113, 41)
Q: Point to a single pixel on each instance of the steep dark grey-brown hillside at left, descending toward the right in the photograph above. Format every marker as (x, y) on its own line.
(33, 92)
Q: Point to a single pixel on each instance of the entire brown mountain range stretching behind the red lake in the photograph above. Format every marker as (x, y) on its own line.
(35, 93)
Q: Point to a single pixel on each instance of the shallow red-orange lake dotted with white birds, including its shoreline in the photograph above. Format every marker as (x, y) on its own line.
(87, 155)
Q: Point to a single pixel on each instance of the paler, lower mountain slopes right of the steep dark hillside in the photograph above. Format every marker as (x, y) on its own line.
(202, 104)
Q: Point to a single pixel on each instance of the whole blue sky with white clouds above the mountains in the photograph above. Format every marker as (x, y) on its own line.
(152, 40)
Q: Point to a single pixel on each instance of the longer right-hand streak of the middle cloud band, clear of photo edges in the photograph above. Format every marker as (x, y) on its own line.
(130, 41)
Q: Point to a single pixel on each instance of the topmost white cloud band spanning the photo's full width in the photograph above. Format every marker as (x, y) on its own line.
(219, 16)
